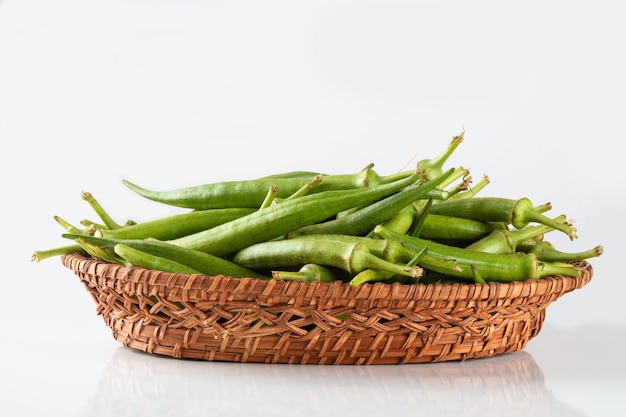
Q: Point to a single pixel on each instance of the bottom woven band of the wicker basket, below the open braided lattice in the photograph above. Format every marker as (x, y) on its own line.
(346, 348)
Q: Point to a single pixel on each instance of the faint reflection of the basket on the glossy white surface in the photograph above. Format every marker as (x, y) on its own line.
(139, 384)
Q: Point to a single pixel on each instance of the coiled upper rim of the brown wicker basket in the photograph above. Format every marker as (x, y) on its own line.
(193, 284)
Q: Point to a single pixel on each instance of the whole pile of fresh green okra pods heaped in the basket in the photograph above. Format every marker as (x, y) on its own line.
(424, 225)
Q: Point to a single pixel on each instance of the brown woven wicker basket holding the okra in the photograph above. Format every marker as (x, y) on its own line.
(222, 318)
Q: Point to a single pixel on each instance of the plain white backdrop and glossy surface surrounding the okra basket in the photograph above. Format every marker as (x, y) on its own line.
(174, 93)
